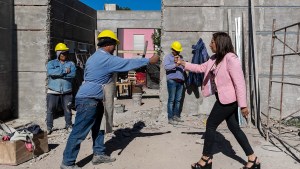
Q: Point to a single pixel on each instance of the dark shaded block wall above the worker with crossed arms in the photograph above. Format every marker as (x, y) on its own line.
(72, 20)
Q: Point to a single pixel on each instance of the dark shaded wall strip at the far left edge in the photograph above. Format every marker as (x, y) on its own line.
(6, 67)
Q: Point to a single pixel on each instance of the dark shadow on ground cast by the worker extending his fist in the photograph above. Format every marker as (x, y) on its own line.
(122, 138)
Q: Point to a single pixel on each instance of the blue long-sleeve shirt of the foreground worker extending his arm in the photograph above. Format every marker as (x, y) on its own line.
(99, 71)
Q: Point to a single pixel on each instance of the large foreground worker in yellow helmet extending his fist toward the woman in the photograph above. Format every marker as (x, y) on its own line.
(88, 101)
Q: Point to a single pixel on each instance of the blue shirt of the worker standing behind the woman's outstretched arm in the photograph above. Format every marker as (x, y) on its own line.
(172, 71)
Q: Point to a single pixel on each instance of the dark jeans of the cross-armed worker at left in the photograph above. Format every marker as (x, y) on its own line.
(52, 104)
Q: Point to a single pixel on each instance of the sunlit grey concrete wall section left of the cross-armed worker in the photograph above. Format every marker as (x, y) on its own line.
(31, 48)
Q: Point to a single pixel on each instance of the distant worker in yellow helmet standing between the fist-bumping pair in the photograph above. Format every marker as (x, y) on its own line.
(175, 82)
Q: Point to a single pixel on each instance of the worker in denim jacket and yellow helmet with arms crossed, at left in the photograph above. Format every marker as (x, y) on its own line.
(60, 73)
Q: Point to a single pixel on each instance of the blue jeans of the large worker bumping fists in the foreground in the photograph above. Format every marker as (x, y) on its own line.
(88, 117)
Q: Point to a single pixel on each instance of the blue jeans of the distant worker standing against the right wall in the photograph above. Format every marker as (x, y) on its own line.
(174, 100)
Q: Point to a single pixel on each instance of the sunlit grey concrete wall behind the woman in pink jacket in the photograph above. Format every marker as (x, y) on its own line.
(187, 21)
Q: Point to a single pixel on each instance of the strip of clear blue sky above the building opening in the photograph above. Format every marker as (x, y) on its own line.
(132, 4)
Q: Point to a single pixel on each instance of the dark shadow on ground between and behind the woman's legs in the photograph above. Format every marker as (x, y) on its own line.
(221, 146)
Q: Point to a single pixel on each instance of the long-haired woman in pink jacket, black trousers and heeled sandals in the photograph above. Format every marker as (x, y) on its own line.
(223, 78)
